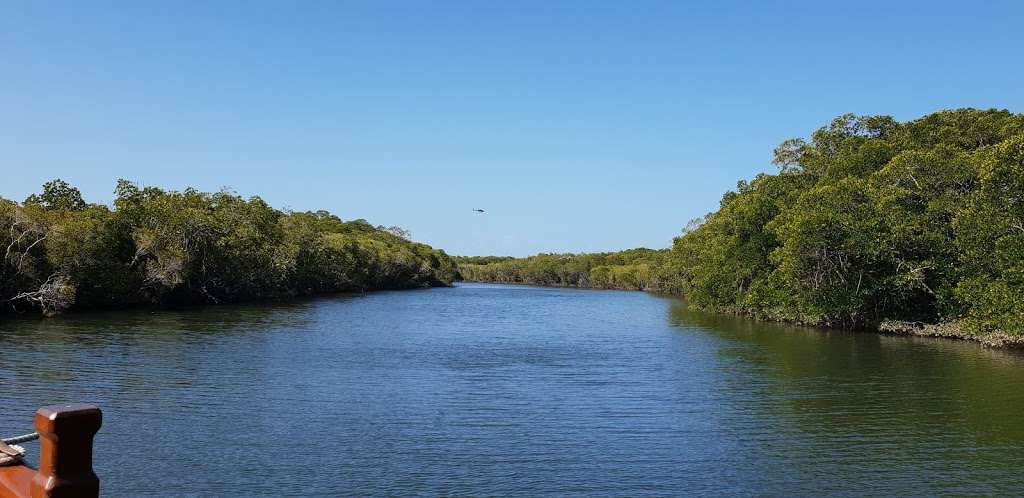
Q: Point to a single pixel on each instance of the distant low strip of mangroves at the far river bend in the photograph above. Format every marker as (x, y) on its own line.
(632, 270)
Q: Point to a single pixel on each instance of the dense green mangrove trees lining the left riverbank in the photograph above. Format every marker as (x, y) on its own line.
(190, 246)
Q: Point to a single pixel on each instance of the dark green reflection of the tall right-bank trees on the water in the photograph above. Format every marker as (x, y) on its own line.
(909, 414)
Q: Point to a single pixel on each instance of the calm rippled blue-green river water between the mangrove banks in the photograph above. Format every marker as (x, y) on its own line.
(498, 391)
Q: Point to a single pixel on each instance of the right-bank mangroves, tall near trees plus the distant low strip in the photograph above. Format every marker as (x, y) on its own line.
(914, 228)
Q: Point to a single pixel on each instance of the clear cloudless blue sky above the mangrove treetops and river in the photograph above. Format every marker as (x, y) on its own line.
(579, 127)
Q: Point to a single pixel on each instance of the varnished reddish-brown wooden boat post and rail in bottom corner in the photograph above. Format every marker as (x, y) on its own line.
(66, 434)
